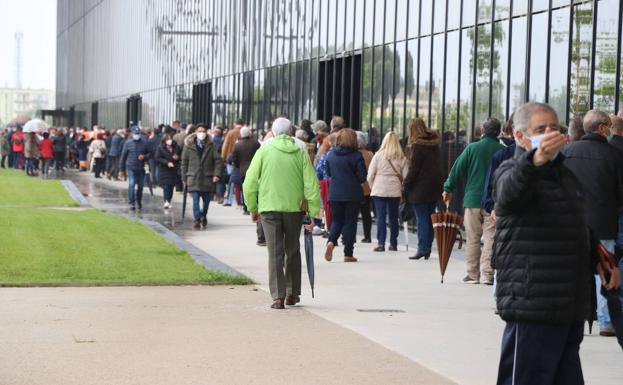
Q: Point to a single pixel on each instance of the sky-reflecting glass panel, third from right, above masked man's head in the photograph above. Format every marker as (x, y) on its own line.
(559, 54)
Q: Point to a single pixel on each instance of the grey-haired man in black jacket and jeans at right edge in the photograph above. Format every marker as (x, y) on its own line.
(599, 168)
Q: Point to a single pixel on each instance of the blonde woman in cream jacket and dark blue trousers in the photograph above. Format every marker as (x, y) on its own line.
(385, 176)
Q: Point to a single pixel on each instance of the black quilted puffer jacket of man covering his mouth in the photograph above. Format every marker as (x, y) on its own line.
(542, 247)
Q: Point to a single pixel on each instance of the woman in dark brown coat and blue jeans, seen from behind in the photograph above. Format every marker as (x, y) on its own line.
(424, 182)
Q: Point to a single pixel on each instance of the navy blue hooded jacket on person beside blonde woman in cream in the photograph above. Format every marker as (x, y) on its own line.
(347, 170)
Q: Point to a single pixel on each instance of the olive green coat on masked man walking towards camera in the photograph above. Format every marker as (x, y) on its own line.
(198, 173)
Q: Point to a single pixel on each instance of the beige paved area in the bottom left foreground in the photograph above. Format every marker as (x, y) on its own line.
(182, 335)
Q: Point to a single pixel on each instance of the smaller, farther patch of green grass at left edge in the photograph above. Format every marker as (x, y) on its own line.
(17, 189)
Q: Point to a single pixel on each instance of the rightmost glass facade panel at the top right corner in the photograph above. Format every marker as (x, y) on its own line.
(606, 52)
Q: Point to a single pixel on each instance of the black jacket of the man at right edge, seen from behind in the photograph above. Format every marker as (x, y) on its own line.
(599, 167)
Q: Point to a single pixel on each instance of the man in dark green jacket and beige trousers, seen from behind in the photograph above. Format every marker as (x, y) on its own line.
(472, 165)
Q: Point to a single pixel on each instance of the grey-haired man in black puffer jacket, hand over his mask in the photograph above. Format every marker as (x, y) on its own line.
(542, 254)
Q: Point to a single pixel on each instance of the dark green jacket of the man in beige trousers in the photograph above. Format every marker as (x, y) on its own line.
(472, 165)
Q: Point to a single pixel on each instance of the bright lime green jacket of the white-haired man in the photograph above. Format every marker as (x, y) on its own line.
(280, 176)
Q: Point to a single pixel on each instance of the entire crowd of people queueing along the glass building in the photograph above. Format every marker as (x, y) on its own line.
(541, 202)
